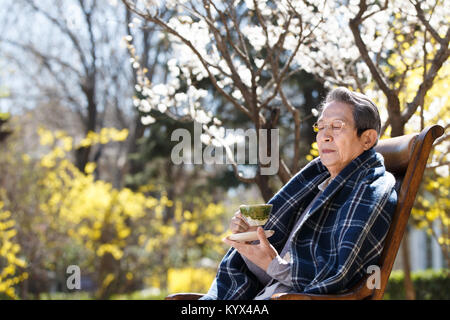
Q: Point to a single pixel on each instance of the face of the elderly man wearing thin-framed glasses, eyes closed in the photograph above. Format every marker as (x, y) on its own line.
(337, 147)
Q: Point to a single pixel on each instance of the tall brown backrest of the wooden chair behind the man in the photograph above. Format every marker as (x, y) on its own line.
(406, 158)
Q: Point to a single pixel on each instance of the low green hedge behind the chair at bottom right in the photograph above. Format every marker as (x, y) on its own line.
(428, 285)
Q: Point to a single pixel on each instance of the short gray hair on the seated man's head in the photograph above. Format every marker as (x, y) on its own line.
(365, 112)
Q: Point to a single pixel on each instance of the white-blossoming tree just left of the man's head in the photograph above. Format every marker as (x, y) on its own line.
(246, 50)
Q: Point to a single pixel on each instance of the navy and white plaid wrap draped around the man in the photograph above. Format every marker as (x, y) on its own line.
(341, 236)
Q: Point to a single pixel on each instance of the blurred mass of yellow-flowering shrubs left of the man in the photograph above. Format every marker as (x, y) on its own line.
(122, 240)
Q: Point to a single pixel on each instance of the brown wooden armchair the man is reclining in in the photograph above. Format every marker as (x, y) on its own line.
(406, 158)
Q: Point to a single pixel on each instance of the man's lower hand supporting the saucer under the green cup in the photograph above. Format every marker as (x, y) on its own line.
(260, 254)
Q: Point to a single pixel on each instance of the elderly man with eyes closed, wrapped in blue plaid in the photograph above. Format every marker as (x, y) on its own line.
(330, 219)
